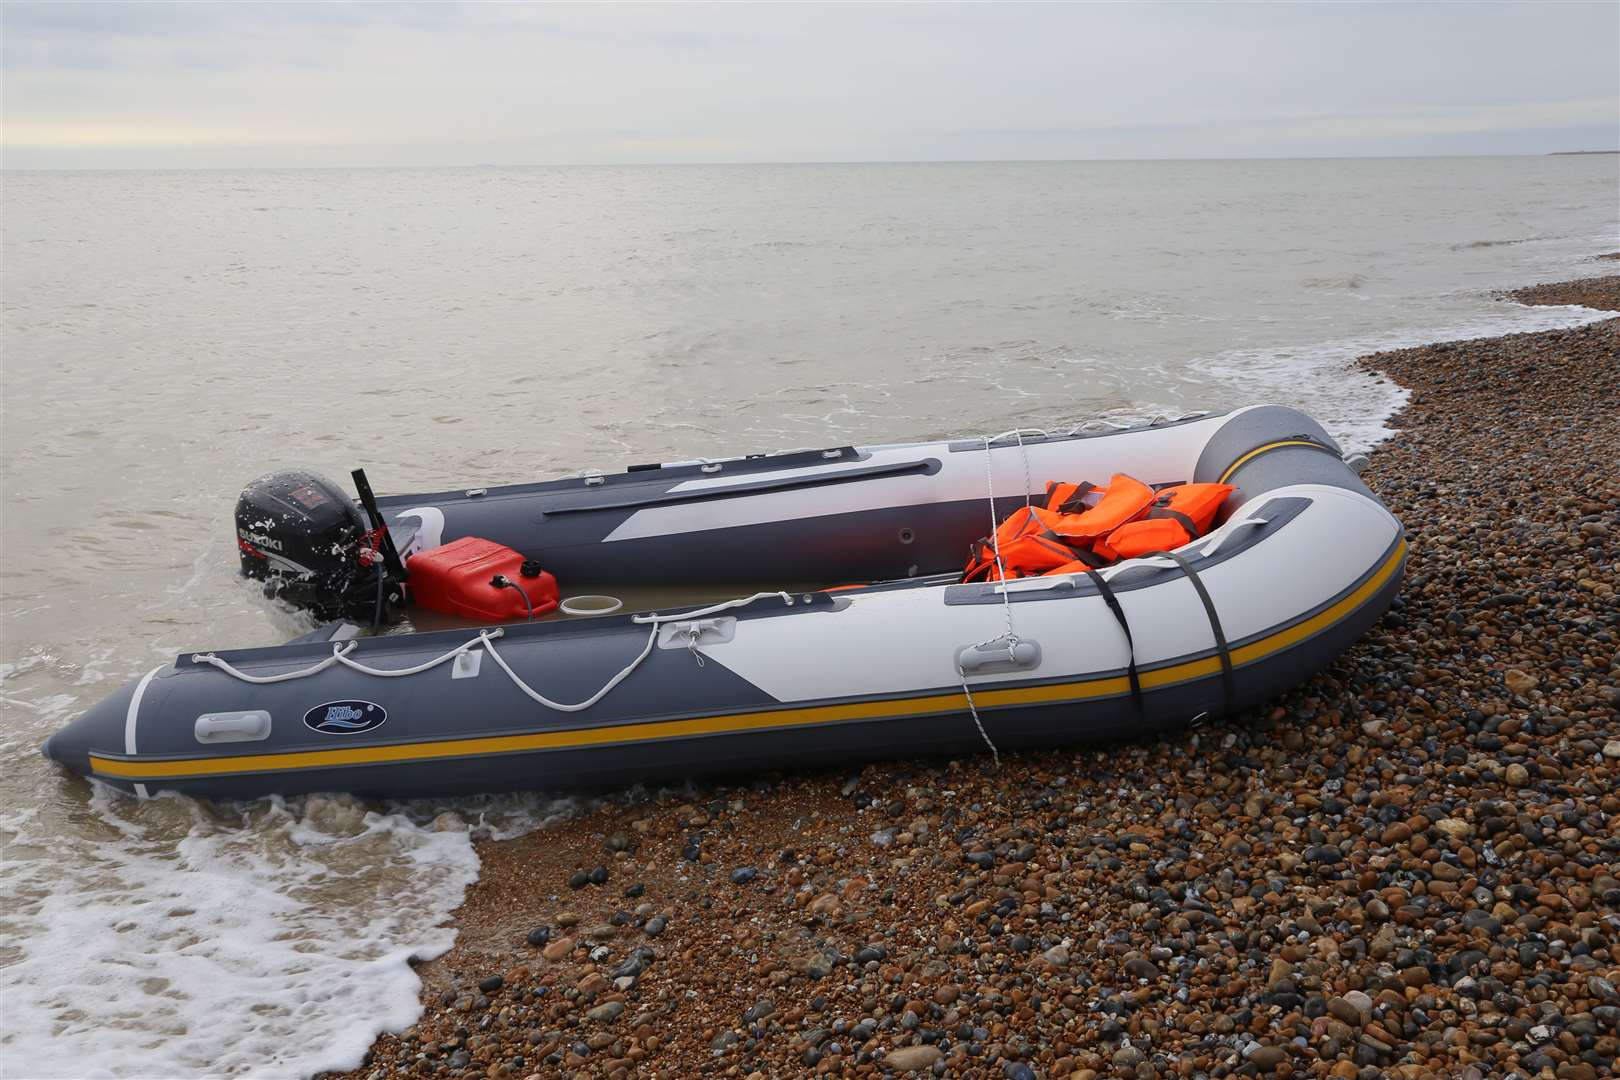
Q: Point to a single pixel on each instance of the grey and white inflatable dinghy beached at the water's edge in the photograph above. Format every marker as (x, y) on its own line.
(900, 660)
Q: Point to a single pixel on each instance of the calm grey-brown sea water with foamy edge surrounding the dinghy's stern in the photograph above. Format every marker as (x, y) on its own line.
(171, 336)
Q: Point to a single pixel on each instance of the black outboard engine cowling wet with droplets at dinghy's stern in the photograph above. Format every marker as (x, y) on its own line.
(309, 542)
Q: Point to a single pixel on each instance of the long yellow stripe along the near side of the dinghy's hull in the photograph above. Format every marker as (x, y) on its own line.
(126, 770)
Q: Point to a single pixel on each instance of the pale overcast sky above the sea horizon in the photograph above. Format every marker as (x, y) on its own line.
(200, 85)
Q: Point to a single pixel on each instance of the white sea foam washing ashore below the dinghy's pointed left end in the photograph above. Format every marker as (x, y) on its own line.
(271, 940)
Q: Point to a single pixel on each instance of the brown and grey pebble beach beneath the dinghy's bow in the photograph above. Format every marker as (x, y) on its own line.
(1407, 867)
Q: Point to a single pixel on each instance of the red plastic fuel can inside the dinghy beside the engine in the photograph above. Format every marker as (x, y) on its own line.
(456, 580)
